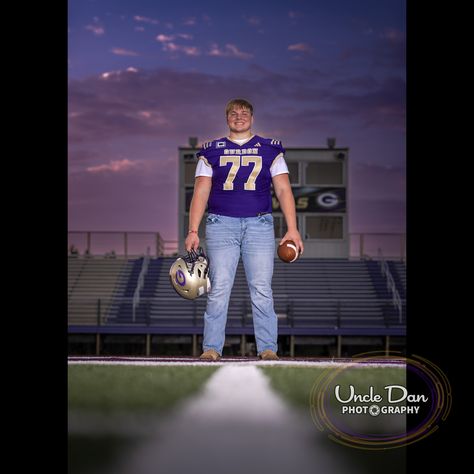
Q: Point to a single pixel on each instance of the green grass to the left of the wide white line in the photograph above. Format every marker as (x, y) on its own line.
(102, 392)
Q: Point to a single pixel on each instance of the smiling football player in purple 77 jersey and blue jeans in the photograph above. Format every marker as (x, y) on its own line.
(234, 175)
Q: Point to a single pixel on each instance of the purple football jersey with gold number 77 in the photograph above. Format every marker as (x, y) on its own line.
(241, 178)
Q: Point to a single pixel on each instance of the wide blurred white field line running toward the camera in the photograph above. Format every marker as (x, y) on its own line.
(236, 424)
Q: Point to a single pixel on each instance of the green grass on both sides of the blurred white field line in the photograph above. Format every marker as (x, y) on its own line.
(103, 393)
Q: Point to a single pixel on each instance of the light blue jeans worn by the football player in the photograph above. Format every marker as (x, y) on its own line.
(227, 239)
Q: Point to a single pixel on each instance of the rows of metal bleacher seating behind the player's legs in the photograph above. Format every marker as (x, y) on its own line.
(312, 296)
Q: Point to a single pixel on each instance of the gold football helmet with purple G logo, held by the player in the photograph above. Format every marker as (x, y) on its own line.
(189, 274)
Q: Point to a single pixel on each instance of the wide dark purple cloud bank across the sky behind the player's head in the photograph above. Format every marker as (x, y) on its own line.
(164, 105)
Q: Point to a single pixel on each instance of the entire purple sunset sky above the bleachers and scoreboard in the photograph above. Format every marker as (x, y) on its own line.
(146, 75)
